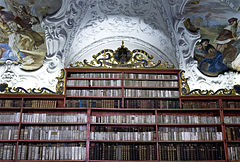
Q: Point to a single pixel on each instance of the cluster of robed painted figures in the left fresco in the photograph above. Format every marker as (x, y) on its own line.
(23, 42)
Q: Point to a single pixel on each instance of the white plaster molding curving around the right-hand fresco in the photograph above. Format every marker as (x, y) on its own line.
(185, 47)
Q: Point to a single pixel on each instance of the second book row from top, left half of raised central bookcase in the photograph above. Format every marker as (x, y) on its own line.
(98, 83)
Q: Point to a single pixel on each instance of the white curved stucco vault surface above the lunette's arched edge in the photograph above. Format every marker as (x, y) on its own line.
(108, 19)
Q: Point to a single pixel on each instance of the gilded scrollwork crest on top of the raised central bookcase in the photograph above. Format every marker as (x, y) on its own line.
(122, 58)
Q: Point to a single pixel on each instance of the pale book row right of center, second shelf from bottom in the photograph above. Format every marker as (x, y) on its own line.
(189, 134)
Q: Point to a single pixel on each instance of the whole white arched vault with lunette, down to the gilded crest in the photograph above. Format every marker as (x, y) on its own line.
(83, 28)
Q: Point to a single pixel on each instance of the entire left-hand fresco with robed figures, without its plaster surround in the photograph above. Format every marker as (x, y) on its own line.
(22, 39)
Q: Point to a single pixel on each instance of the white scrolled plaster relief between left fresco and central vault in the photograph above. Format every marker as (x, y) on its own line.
(60, 29)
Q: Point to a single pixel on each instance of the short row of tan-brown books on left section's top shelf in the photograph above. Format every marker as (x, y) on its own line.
(41, 103)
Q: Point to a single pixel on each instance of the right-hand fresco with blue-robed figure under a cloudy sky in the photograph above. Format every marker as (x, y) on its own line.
(218, 49)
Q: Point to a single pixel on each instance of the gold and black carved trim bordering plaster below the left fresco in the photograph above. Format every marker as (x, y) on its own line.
(60, 86)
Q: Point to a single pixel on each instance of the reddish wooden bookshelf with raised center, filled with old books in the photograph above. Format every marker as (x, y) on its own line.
(119, 115)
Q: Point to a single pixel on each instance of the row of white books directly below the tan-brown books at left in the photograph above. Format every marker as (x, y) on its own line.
(54, 117)
